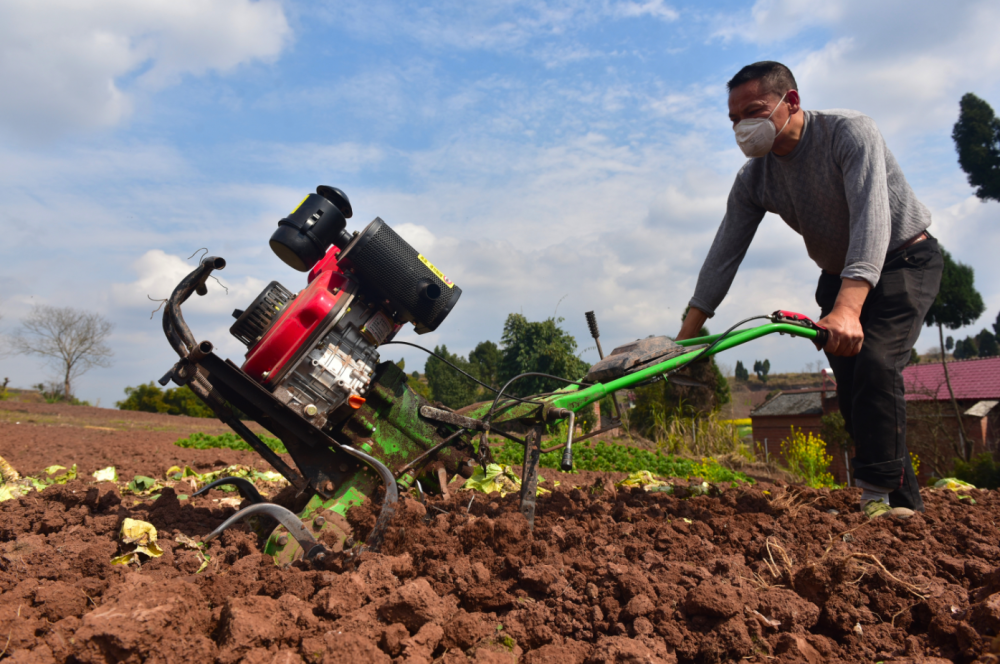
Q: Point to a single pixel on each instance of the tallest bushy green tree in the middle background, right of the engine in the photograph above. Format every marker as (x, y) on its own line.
(541, 346)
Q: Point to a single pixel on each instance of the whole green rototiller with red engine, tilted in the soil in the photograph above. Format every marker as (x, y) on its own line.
(350, 423)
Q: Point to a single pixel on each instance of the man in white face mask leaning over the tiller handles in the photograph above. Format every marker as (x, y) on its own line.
(830, 176)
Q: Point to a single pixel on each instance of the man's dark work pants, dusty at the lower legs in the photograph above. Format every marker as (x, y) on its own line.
(870, 384)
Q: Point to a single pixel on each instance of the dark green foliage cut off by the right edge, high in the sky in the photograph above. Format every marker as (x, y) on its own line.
(977, 139)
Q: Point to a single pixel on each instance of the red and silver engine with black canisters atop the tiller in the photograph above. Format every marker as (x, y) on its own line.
(317, 350)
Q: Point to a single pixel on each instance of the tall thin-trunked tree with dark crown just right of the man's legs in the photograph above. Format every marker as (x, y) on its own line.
(958, 304)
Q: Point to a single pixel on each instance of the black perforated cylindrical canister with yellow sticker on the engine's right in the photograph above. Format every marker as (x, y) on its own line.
(387, 264)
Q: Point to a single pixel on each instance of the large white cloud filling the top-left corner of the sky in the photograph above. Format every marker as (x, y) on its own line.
(62, 62)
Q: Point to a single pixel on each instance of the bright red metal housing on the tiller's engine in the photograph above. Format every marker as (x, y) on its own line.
(300, 319)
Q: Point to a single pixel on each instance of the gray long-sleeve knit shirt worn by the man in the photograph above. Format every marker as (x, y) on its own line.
(840, 189)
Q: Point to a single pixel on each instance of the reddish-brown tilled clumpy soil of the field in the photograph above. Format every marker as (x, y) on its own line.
(765, 573)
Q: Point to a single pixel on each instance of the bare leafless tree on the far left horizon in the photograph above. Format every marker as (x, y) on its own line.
(70, 340)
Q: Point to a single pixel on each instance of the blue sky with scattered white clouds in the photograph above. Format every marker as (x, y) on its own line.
(550, 156)
